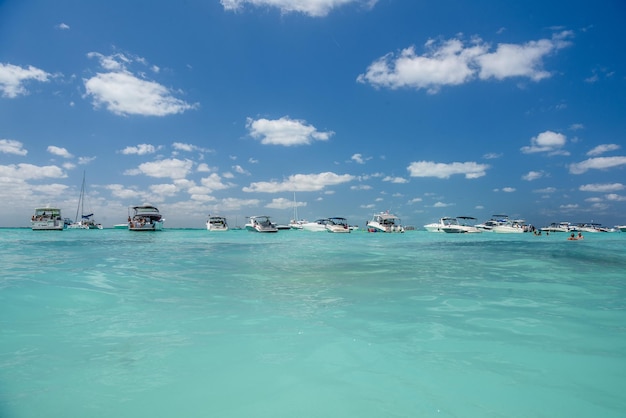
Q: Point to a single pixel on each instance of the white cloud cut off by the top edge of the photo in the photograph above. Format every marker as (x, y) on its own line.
(313, 8)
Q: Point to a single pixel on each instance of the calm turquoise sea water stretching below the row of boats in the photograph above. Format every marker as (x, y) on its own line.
(188, 323)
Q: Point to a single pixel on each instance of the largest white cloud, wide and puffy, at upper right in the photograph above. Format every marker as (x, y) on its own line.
(451, 62)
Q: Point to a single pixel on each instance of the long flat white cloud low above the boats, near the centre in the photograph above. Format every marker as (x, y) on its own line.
(300, 183)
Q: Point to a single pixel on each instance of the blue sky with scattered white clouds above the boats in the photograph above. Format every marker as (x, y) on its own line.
(342, 108)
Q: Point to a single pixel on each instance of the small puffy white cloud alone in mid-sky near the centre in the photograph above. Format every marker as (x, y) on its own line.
(285, 131)
